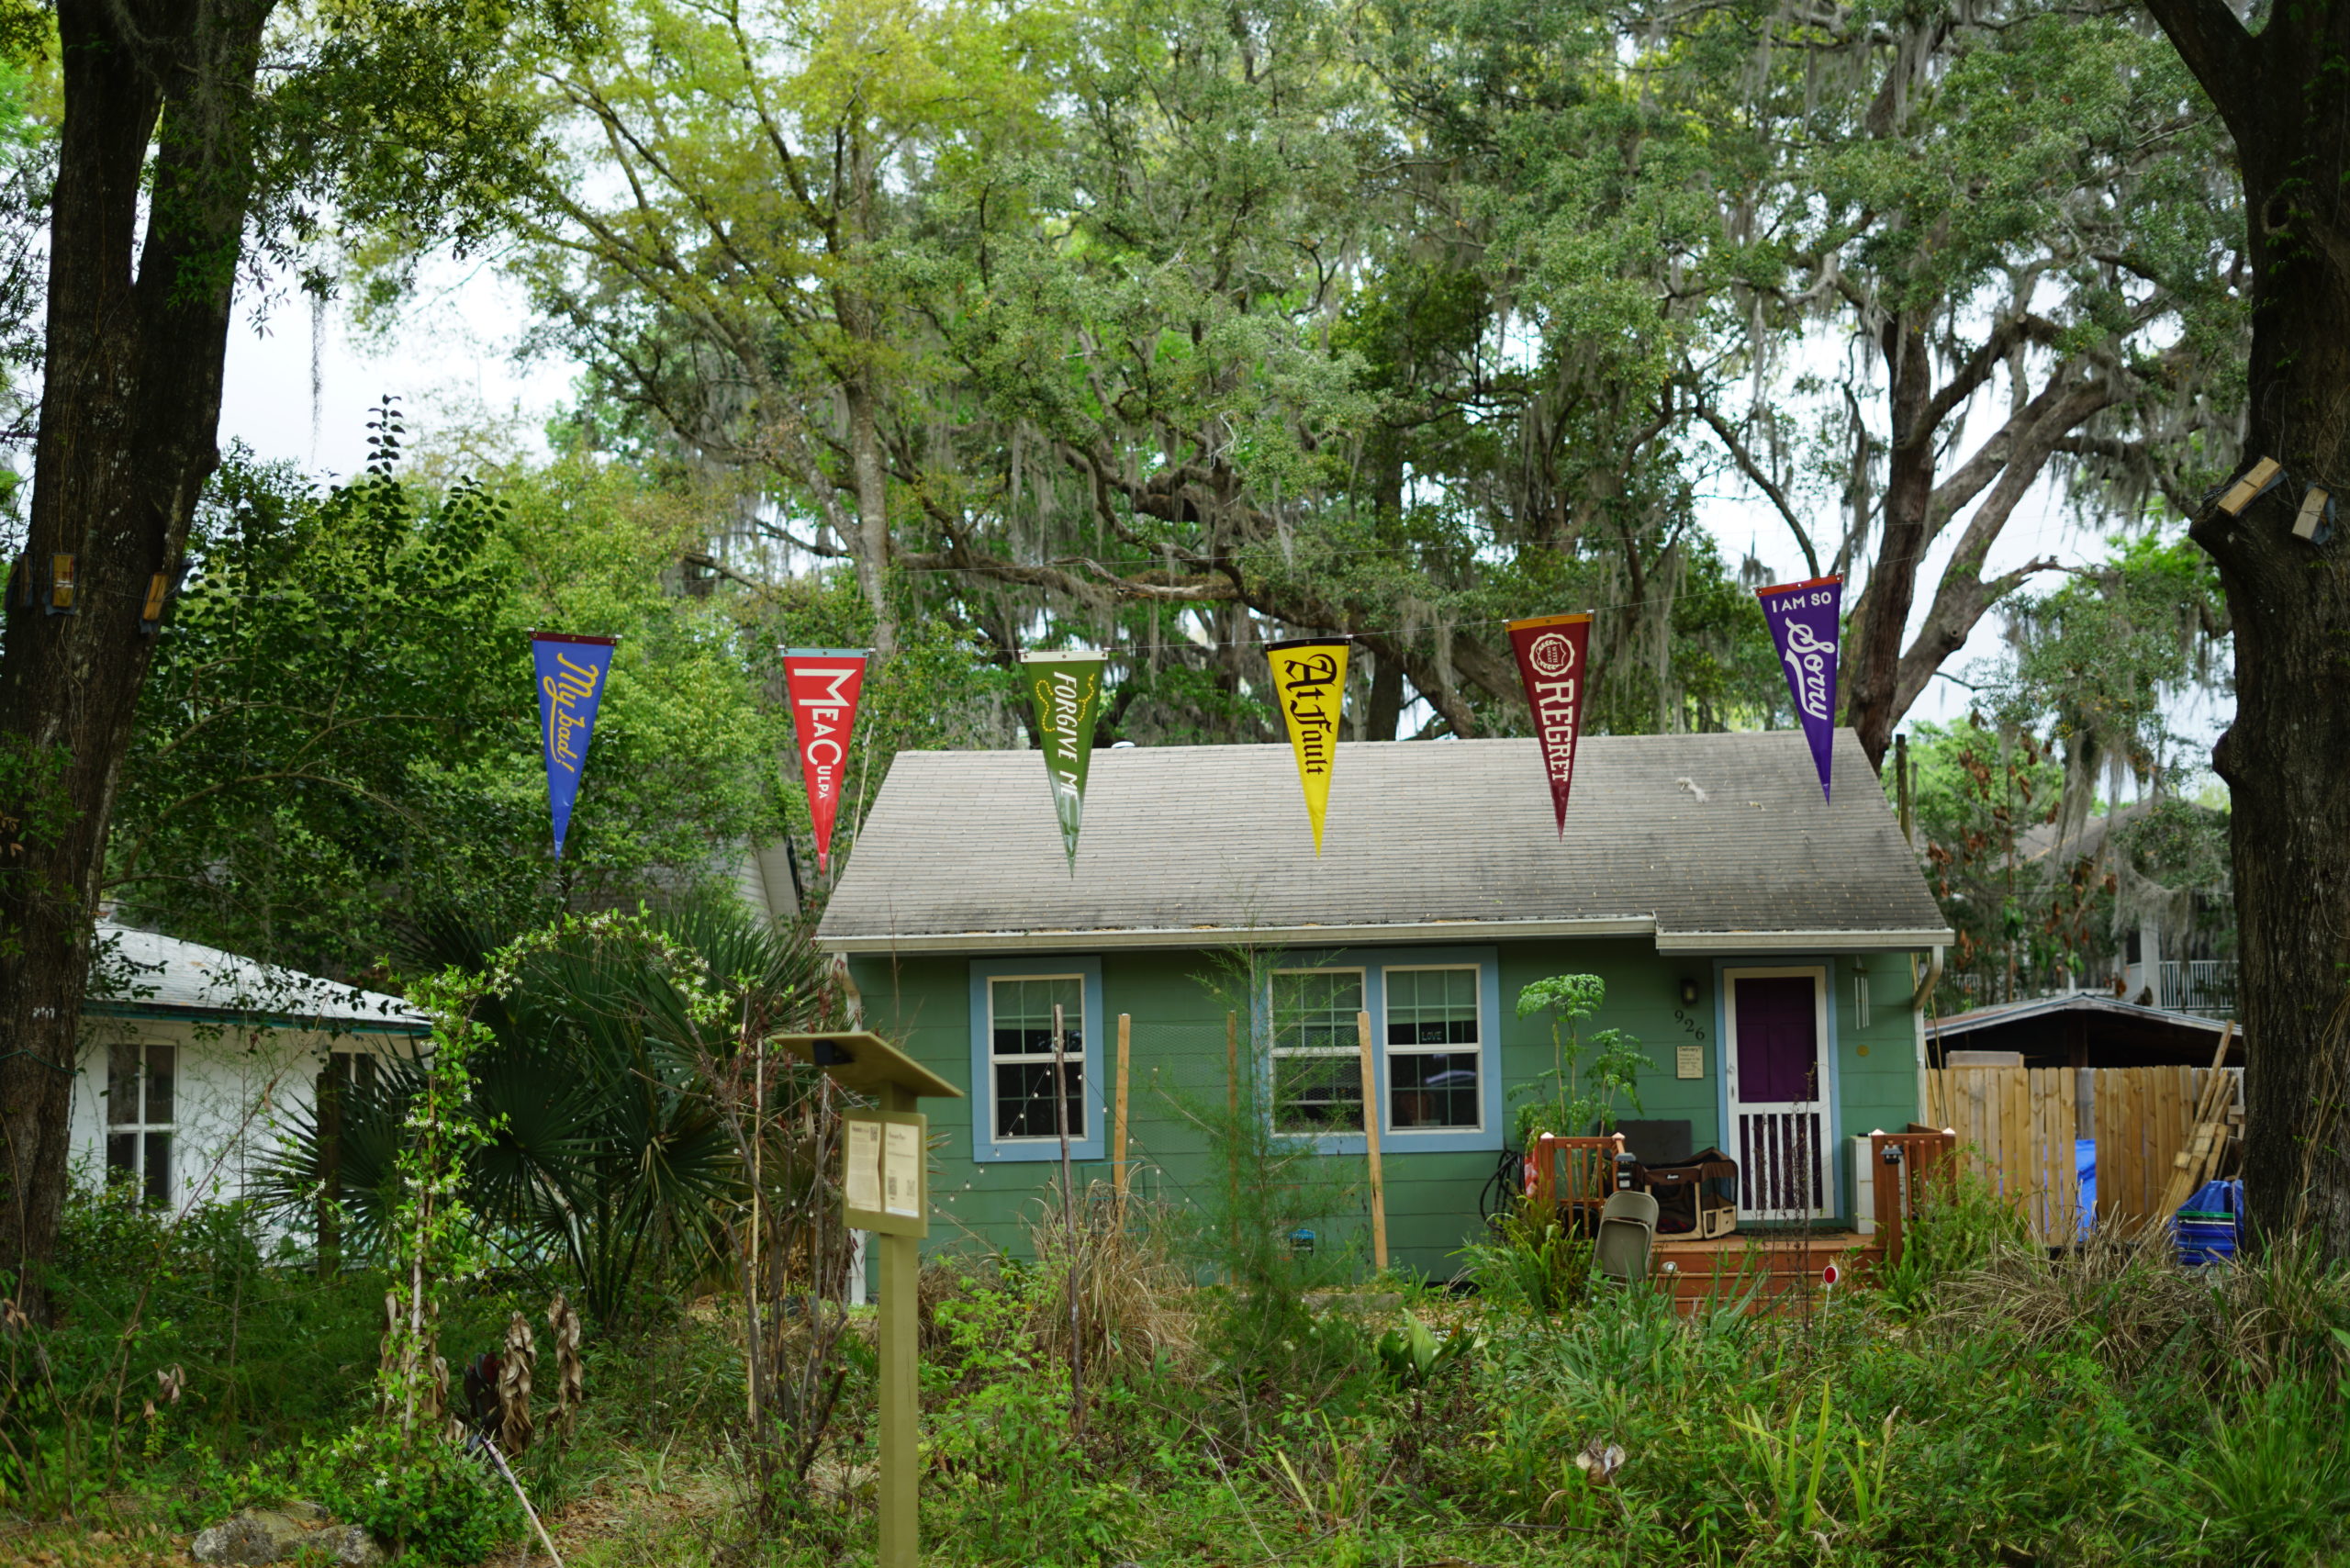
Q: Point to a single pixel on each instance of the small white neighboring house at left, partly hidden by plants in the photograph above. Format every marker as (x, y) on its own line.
(194, 1059)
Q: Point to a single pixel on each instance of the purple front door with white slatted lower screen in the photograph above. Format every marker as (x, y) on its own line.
(1775, 1097)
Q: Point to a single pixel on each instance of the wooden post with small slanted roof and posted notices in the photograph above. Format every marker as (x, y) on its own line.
(887, 1186)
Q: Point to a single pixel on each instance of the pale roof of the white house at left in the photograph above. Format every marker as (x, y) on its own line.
(149, 974)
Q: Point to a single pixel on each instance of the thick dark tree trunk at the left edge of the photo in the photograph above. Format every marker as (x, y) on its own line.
(154, 93)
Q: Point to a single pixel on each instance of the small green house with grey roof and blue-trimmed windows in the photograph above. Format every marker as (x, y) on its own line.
(1766, 949)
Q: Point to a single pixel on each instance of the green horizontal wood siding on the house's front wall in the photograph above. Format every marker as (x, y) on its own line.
(1432, 1198)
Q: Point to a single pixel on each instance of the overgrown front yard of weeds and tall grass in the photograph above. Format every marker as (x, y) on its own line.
(1989, 1407)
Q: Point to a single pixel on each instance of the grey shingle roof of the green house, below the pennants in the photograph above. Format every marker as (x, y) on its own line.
(1700, 840)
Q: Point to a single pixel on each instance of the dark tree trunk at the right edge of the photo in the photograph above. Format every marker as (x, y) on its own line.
(2285, 95)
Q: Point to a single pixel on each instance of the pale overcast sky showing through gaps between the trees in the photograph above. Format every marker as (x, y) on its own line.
(452, 361)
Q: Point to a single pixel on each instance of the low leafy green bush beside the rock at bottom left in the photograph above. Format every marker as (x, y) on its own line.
(417, 1494)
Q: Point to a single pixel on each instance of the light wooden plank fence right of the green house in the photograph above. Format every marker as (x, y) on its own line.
(2017, 1127)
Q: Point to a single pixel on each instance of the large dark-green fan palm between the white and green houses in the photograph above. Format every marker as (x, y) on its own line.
(607, 1158)
